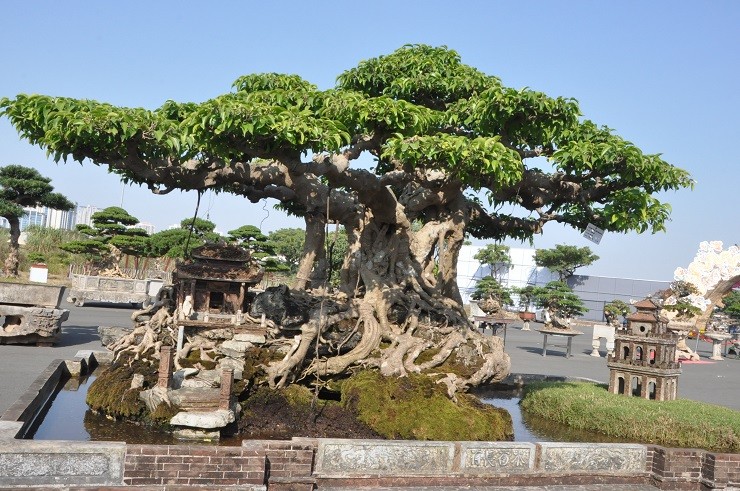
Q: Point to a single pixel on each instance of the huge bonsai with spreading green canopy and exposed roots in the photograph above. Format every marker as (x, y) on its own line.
(454, 151)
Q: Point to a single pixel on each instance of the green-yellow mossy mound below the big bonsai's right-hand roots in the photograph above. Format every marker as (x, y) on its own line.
(416, 408)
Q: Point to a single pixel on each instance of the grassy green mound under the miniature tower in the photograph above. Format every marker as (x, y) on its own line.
(679, 423)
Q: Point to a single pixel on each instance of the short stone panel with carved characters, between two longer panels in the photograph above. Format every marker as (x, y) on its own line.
(496, 457)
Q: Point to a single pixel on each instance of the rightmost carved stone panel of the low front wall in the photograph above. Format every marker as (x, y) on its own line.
(619, 458)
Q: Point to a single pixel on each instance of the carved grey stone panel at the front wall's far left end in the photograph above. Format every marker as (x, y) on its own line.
(29, 462)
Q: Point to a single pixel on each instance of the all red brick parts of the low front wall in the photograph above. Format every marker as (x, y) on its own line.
(288, 465)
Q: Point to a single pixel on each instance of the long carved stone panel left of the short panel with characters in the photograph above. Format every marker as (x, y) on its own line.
(345, 457)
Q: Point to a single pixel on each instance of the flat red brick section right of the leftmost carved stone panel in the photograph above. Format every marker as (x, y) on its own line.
(193, 465)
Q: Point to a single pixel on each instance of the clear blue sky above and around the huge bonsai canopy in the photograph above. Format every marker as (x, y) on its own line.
(663, 74)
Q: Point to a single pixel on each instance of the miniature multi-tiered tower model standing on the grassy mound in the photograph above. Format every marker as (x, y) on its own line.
(644, 360)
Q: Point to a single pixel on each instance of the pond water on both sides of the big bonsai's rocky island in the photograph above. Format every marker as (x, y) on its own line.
(69, 418)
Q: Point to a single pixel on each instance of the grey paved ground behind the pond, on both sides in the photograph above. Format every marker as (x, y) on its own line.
(716, 382)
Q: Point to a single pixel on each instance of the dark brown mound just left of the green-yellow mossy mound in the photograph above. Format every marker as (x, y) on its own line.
(285, 413)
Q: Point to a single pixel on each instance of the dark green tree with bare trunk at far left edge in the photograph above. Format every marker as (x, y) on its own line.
(23, 186)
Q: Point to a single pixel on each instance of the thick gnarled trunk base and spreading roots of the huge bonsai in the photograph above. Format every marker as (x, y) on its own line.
(406, 311)
